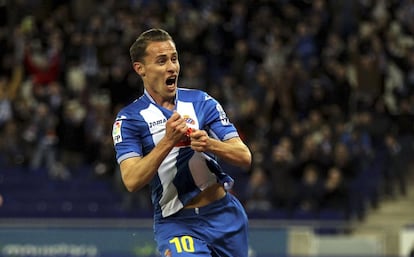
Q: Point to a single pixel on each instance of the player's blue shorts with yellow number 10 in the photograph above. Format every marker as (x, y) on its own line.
(219, 229)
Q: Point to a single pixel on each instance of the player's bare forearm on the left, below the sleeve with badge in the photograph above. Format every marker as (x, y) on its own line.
(138, 172)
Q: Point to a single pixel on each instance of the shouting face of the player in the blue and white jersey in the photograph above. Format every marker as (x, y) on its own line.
(159, 71)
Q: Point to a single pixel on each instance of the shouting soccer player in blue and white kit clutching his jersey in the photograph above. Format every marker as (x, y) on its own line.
(170, 138)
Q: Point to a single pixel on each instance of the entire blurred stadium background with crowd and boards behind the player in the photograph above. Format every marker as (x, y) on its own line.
(322, 91)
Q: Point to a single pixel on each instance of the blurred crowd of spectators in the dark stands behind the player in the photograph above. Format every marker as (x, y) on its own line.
(321, 90)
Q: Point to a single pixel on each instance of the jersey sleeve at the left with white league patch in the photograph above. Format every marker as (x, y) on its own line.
(126, 143)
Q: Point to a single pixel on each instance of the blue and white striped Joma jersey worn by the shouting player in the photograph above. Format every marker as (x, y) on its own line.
(184, 173)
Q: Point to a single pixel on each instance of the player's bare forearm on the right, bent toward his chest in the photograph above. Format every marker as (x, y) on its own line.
(233, 151)
